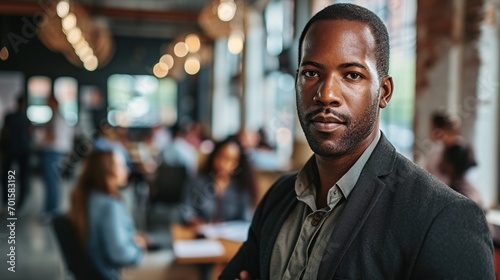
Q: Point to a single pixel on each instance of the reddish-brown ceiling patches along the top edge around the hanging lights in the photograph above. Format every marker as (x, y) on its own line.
(138, 18)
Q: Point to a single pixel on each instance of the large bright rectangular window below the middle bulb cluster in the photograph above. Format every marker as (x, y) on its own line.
(141, 100)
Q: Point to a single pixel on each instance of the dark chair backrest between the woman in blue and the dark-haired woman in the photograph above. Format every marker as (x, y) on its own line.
(167, 186)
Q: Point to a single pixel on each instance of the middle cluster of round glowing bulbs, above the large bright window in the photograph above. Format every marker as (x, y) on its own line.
(189, 47)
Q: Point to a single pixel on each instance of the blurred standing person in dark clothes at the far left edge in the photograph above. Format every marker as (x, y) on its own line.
(15, 148)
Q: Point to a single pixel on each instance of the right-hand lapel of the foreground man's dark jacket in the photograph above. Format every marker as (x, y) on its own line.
(358, 207)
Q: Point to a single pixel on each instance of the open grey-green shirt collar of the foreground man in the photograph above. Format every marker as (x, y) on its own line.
(307, 178)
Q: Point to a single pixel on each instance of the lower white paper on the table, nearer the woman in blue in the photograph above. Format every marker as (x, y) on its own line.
(197, 248)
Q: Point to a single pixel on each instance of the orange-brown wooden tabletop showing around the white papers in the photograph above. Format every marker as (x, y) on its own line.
(182, 232)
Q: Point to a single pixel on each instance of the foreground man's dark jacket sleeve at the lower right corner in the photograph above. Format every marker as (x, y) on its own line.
(457, 245)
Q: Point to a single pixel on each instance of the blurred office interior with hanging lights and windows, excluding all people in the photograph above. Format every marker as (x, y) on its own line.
(220, 67)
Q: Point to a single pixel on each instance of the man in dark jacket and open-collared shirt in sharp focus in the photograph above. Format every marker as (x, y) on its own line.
(357, 209)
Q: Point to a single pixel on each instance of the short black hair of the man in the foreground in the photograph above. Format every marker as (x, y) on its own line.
(356, 13)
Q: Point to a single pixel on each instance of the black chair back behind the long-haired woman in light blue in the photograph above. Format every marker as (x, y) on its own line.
(77, 261)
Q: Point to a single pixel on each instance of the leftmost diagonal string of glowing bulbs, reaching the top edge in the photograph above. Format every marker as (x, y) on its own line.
(75, 36)
